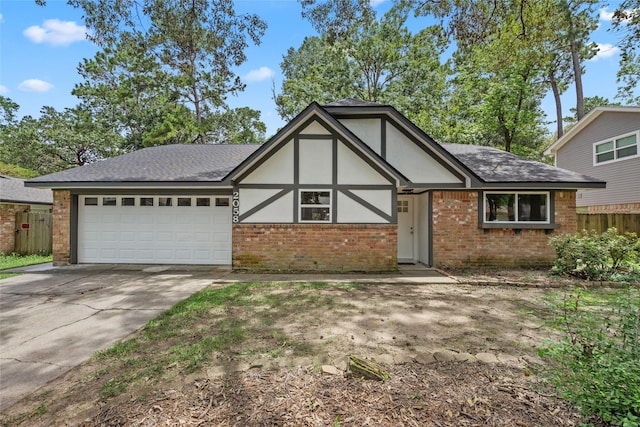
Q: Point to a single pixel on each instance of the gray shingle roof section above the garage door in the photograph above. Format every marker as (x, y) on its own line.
(167, 163)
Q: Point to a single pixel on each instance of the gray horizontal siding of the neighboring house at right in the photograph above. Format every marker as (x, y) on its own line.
(622, 177)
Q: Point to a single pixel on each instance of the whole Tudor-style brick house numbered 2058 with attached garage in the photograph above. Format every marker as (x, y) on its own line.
(351, 186)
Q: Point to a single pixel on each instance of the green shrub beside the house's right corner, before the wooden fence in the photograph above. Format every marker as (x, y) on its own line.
(594, 256)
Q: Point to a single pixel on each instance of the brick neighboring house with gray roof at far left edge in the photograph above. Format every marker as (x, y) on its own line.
(14, 198)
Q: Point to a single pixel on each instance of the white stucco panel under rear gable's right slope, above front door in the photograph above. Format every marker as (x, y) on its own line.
(413, 162)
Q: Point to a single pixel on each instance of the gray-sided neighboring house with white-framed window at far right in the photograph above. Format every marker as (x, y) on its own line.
(604, 144)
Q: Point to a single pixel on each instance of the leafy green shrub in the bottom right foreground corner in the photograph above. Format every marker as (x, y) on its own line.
(597, 363)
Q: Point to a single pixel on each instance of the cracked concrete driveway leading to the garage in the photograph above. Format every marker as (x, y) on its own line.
(54, 318)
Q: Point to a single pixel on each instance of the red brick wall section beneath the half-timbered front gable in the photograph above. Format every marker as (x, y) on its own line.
(315, 247)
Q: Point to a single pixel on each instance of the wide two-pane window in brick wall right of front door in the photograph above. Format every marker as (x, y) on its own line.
(516, 207)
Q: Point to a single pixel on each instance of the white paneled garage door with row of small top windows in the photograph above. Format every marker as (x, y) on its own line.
(154, 230)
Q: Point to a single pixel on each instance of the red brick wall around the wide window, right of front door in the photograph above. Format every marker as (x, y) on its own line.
(458, 242)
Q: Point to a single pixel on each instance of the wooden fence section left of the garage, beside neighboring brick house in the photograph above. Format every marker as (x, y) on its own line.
(33, 233)
